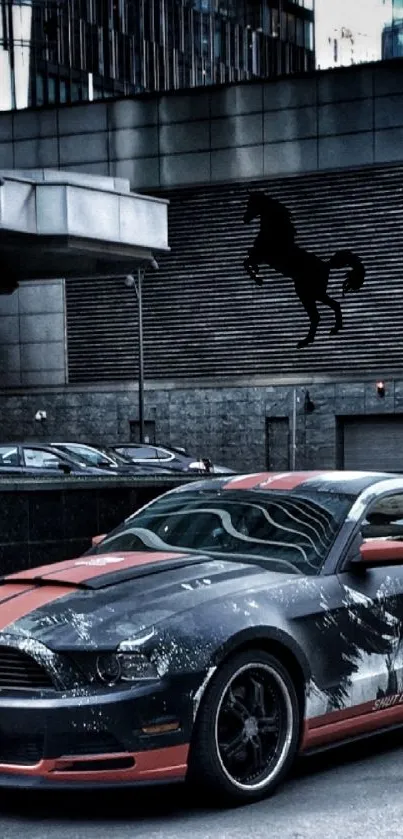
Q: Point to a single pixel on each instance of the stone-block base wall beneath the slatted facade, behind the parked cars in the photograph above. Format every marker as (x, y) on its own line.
(229, 424)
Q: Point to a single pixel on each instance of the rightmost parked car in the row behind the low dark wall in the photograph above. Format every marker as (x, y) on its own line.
(176, 460)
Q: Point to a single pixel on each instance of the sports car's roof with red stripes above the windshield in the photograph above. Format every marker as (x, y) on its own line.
(320, 481)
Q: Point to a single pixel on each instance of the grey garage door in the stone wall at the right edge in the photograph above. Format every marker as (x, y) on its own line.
(373, 443)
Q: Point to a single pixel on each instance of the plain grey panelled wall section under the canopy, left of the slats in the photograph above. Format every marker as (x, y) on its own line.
(32, 335)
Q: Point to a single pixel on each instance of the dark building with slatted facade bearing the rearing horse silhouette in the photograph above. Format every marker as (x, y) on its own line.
(225, 372)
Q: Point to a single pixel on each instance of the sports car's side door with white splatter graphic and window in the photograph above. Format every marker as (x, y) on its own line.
(372, 619)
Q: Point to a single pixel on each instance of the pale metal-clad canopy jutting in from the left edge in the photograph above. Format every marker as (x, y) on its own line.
(56, 224)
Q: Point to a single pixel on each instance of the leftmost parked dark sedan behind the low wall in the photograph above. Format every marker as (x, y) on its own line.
(34, 459)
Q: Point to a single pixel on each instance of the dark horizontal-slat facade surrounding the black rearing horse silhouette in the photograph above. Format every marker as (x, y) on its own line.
(203, 315)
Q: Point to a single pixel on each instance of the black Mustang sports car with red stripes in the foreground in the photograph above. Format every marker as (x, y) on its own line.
(221, 630)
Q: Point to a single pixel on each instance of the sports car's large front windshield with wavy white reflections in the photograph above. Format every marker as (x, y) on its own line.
(285, 531)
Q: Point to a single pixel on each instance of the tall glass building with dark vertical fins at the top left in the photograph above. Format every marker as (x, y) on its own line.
(55, 51)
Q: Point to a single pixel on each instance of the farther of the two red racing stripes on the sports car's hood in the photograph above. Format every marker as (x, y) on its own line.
(89, 567)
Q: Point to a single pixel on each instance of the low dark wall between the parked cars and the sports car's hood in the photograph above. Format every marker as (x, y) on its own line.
(46, 520)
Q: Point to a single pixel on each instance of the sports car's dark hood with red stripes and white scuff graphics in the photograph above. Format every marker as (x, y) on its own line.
(99, 600)
